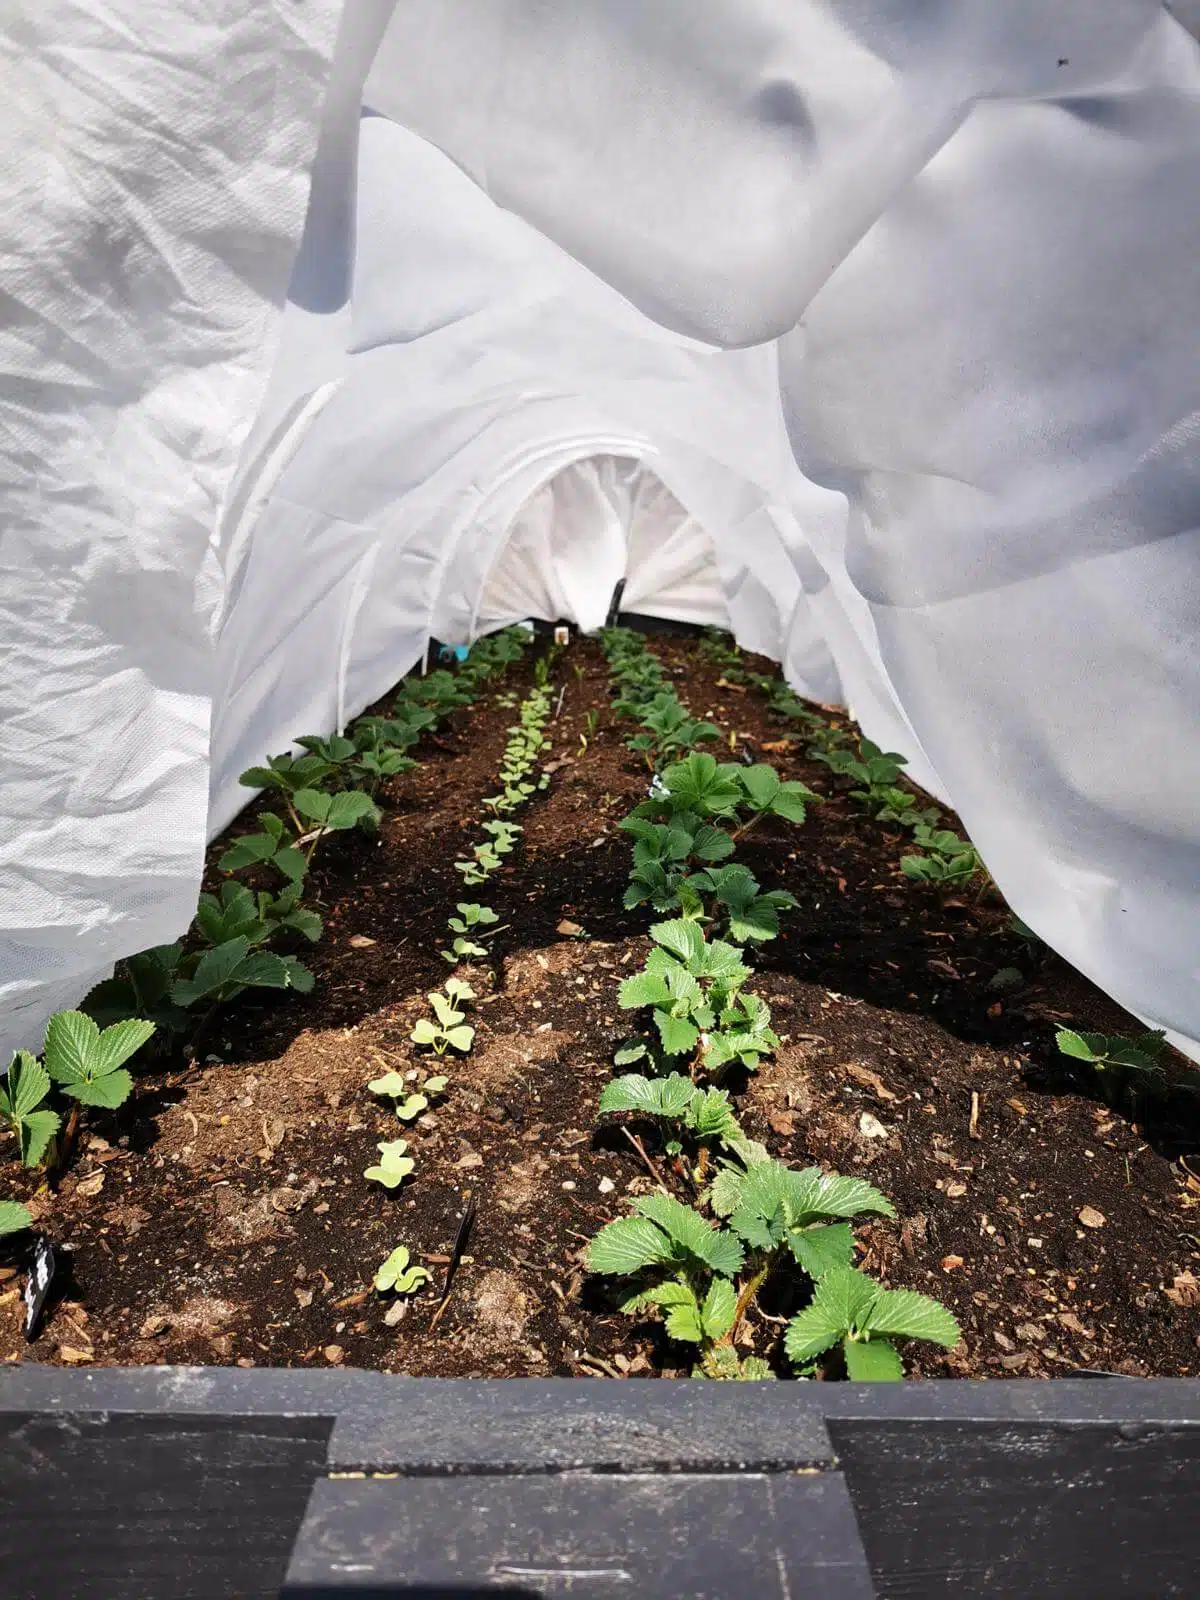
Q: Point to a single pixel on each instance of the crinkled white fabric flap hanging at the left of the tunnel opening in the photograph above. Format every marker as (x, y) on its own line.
(154, 167)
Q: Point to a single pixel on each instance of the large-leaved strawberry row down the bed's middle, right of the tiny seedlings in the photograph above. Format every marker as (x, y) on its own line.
(750, 1231)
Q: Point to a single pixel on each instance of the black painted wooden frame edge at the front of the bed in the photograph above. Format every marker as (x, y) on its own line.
(161, 1484)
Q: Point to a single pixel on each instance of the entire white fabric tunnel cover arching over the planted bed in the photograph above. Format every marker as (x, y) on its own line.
(892, 303)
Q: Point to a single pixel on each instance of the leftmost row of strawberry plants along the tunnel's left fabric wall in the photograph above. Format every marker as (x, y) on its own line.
(246, 935)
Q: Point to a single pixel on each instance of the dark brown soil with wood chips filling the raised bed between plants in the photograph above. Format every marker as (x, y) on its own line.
(223, 1217)
